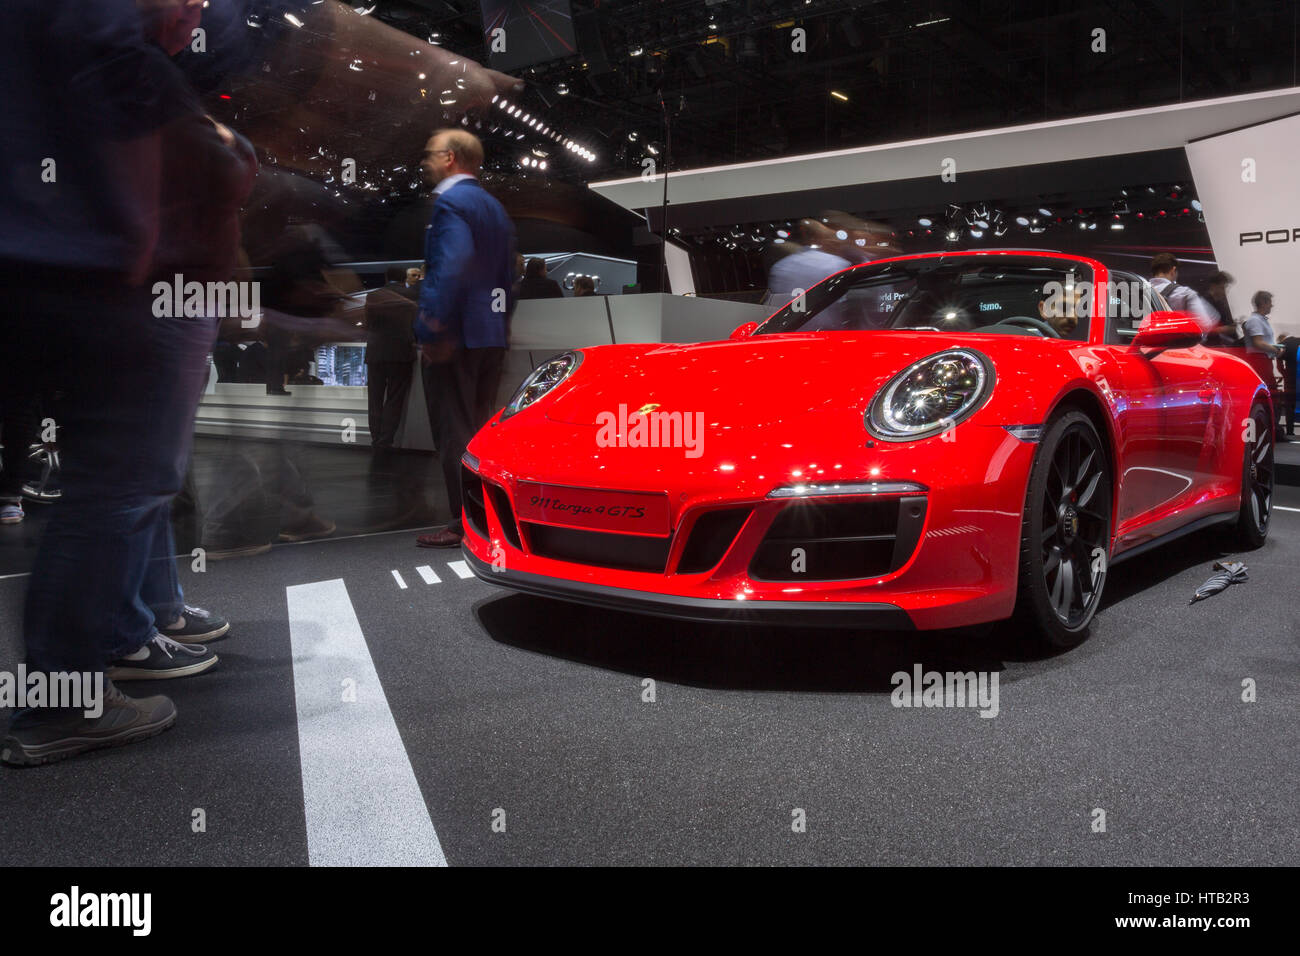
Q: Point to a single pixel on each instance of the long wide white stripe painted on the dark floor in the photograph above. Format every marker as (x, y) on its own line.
(363, 804)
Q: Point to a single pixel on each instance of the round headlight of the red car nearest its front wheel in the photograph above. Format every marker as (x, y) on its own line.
(930, 396)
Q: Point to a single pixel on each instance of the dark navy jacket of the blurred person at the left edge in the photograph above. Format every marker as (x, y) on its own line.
(86, 89)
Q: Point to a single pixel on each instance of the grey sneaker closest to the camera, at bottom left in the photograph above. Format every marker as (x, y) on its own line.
(42, 738)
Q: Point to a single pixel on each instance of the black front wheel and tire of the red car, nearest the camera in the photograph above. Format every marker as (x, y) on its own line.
(1065, 534)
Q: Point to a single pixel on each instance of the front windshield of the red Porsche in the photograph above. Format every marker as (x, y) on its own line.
(1032, 296)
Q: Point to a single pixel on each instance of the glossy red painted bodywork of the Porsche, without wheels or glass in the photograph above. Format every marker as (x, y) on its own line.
(787, 409)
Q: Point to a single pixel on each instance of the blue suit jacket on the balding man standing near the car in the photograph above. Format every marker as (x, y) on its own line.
(470, 262)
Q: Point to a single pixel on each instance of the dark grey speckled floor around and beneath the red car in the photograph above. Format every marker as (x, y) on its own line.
(535, 708)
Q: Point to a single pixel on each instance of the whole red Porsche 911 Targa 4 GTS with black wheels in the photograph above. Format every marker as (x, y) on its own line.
(928, 442)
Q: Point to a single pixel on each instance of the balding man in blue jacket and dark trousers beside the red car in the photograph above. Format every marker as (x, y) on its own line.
(465, 306)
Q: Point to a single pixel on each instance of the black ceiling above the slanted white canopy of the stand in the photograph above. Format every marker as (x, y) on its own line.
(738, 92)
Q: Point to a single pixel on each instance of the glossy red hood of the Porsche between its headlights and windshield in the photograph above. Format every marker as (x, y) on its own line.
(759, 380)
